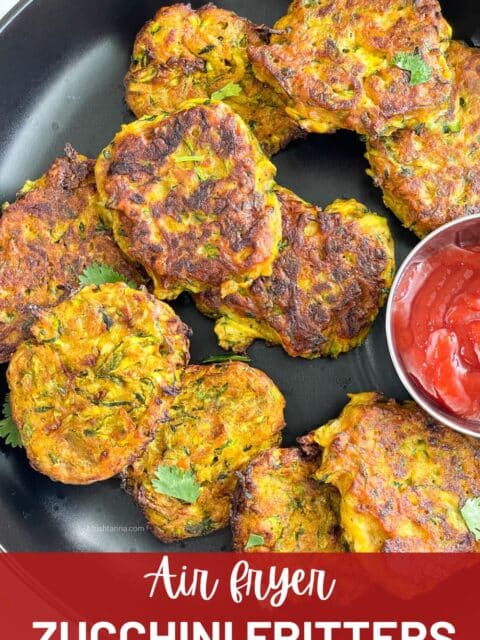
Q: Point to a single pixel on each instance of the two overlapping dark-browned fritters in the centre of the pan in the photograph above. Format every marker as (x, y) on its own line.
(193, 200)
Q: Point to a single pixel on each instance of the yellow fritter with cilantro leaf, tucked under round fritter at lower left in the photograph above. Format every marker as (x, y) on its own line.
(225, 415)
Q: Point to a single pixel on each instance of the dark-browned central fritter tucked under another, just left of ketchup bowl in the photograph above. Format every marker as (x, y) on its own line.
(327, 285)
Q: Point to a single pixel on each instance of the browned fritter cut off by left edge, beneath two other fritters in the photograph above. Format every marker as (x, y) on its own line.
(47, 238)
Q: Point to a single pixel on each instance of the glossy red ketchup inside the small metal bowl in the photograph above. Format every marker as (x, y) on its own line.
(436, 327)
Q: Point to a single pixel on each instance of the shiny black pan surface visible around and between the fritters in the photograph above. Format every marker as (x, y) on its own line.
(62, 66)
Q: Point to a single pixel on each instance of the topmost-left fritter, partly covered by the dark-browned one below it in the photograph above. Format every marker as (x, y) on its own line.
(183, 54)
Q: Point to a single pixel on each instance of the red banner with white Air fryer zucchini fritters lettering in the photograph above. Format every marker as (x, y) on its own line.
(239, 597)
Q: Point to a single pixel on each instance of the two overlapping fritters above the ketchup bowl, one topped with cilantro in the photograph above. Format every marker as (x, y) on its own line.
(388, 70)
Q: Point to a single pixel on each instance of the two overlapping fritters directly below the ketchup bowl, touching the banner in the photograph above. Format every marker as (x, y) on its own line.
(383, 477)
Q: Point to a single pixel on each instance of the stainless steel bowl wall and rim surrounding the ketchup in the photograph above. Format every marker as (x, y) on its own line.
(463, 231)
